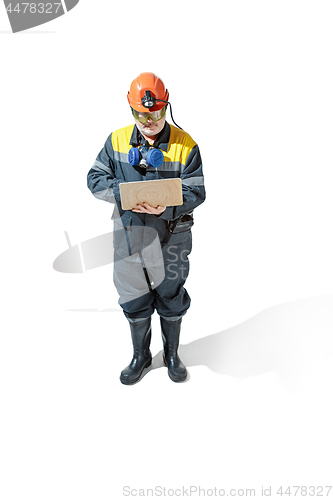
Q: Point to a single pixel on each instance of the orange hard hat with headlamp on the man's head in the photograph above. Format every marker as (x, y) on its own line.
(147, 82)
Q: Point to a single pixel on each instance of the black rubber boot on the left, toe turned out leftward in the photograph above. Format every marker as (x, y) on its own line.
(141, 335)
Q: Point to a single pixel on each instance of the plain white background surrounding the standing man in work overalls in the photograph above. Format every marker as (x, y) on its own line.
(252, 82)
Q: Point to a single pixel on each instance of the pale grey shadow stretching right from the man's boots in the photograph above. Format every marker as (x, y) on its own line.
(293, 340)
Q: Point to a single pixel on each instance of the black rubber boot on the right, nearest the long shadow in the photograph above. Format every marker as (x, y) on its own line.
(170, 335)
